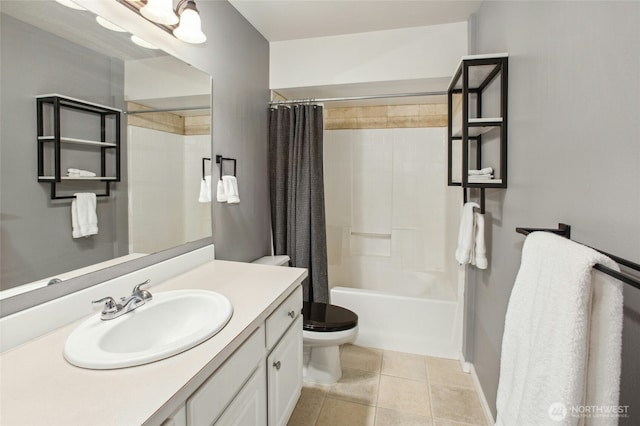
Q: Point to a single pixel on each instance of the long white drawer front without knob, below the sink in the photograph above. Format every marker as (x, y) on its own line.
(208, 402)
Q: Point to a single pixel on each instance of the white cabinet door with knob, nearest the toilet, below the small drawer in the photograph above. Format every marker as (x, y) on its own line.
(284, 367)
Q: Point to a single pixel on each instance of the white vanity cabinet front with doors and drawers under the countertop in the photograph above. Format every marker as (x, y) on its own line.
(259, 384)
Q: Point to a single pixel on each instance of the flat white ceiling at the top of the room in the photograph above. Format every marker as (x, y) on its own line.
(279, 20)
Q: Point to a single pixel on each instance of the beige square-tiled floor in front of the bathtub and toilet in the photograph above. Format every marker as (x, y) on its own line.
(380, 388)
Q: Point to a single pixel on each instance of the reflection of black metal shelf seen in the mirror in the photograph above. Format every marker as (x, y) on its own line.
(50, 109)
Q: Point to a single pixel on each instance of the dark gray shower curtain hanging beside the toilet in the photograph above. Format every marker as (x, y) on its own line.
(297, 193)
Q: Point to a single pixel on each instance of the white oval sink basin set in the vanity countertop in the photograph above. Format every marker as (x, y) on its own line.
(170, 323)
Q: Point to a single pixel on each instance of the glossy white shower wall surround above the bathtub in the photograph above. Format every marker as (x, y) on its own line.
(391, 219)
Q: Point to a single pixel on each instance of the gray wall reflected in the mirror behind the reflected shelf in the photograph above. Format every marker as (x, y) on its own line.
(36, 231)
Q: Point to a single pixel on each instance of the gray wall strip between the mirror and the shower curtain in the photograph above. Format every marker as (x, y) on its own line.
(237, 57)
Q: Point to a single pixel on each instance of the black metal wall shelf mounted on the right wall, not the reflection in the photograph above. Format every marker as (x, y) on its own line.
(474, 77)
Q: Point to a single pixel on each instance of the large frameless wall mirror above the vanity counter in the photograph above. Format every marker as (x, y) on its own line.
(155, 211)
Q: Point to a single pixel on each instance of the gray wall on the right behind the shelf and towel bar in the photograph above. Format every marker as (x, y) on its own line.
(574, 155)
